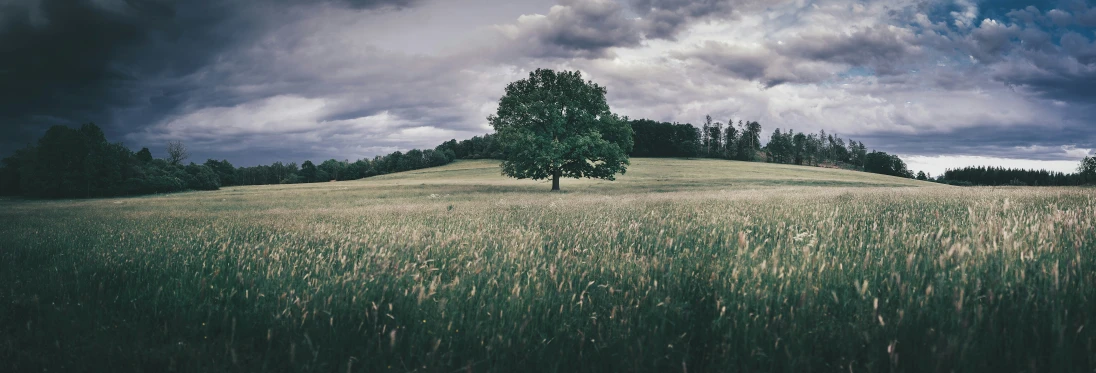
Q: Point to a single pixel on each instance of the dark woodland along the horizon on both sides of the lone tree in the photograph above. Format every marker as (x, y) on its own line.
(81, 163)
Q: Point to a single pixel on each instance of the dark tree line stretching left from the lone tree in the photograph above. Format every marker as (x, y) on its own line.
(81, 163)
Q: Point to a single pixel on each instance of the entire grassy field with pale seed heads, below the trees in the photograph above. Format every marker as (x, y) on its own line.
(679, 266)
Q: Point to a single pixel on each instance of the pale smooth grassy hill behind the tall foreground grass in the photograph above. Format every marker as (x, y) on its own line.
(471, 179)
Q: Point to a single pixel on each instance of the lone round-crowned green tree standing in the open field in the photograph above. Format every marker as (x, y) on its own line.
(555, 126)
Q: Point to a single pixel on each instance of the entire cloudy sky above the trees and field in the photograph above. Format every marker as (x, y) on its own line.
(941, 83)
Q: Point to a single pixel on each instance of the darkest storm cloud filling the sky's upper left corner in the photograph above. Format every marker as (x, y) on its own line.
(68, 62)
